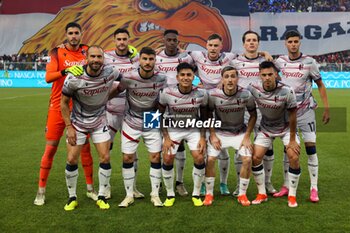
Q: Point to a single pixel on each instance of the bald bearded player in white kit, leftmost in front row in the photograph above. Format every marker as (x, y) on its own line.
(89, 93)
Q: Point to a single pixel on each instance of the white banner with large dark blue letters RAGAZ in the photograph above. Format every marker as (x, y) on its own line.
(323, 32)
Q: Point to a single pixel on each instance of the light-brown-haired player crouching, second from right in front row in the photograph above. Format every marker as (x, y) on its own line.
(229, 104)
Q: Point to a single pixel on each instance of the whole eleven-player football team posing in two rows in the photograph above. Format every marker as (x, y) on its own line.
(150, 95)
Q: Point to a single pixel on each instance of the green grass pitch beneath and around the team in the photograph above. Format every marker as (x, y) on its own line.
(22, 116)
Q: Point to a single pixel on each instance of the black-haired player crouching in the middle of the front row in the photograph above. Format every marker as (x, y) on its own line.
(184, 103)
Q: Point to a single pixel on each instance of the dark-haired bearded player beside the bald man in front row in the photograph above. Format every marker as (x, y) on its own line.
(142, 90)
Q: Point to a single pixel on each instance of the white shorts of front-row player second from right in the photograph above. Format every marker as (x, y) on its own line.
(228, 141)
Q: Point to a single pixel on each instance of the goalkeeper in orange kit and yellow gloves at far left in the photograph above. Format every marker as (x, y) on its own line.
(62, 61)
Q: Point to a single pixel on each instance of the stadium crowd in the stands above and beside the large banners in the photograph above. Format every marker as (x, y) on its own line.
(339, 61)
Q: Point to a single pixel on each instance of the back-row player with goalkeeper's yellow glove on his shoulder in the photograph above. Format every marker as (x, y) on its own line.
(124, 58)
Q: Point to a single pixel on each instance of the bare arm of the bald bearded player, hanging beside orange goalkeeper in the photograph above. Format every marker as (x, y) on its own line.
(71, 134)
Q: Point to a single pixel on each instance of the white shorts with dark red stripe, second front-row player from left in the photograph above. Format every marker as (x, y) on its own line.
(131, 138)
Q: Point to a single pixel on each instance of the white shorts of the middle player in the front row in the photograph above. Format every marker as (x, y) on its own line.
(192, 137)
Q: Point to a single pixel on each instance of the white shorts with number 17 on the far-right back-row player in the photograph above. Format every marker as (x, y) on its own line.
(307, 125)
